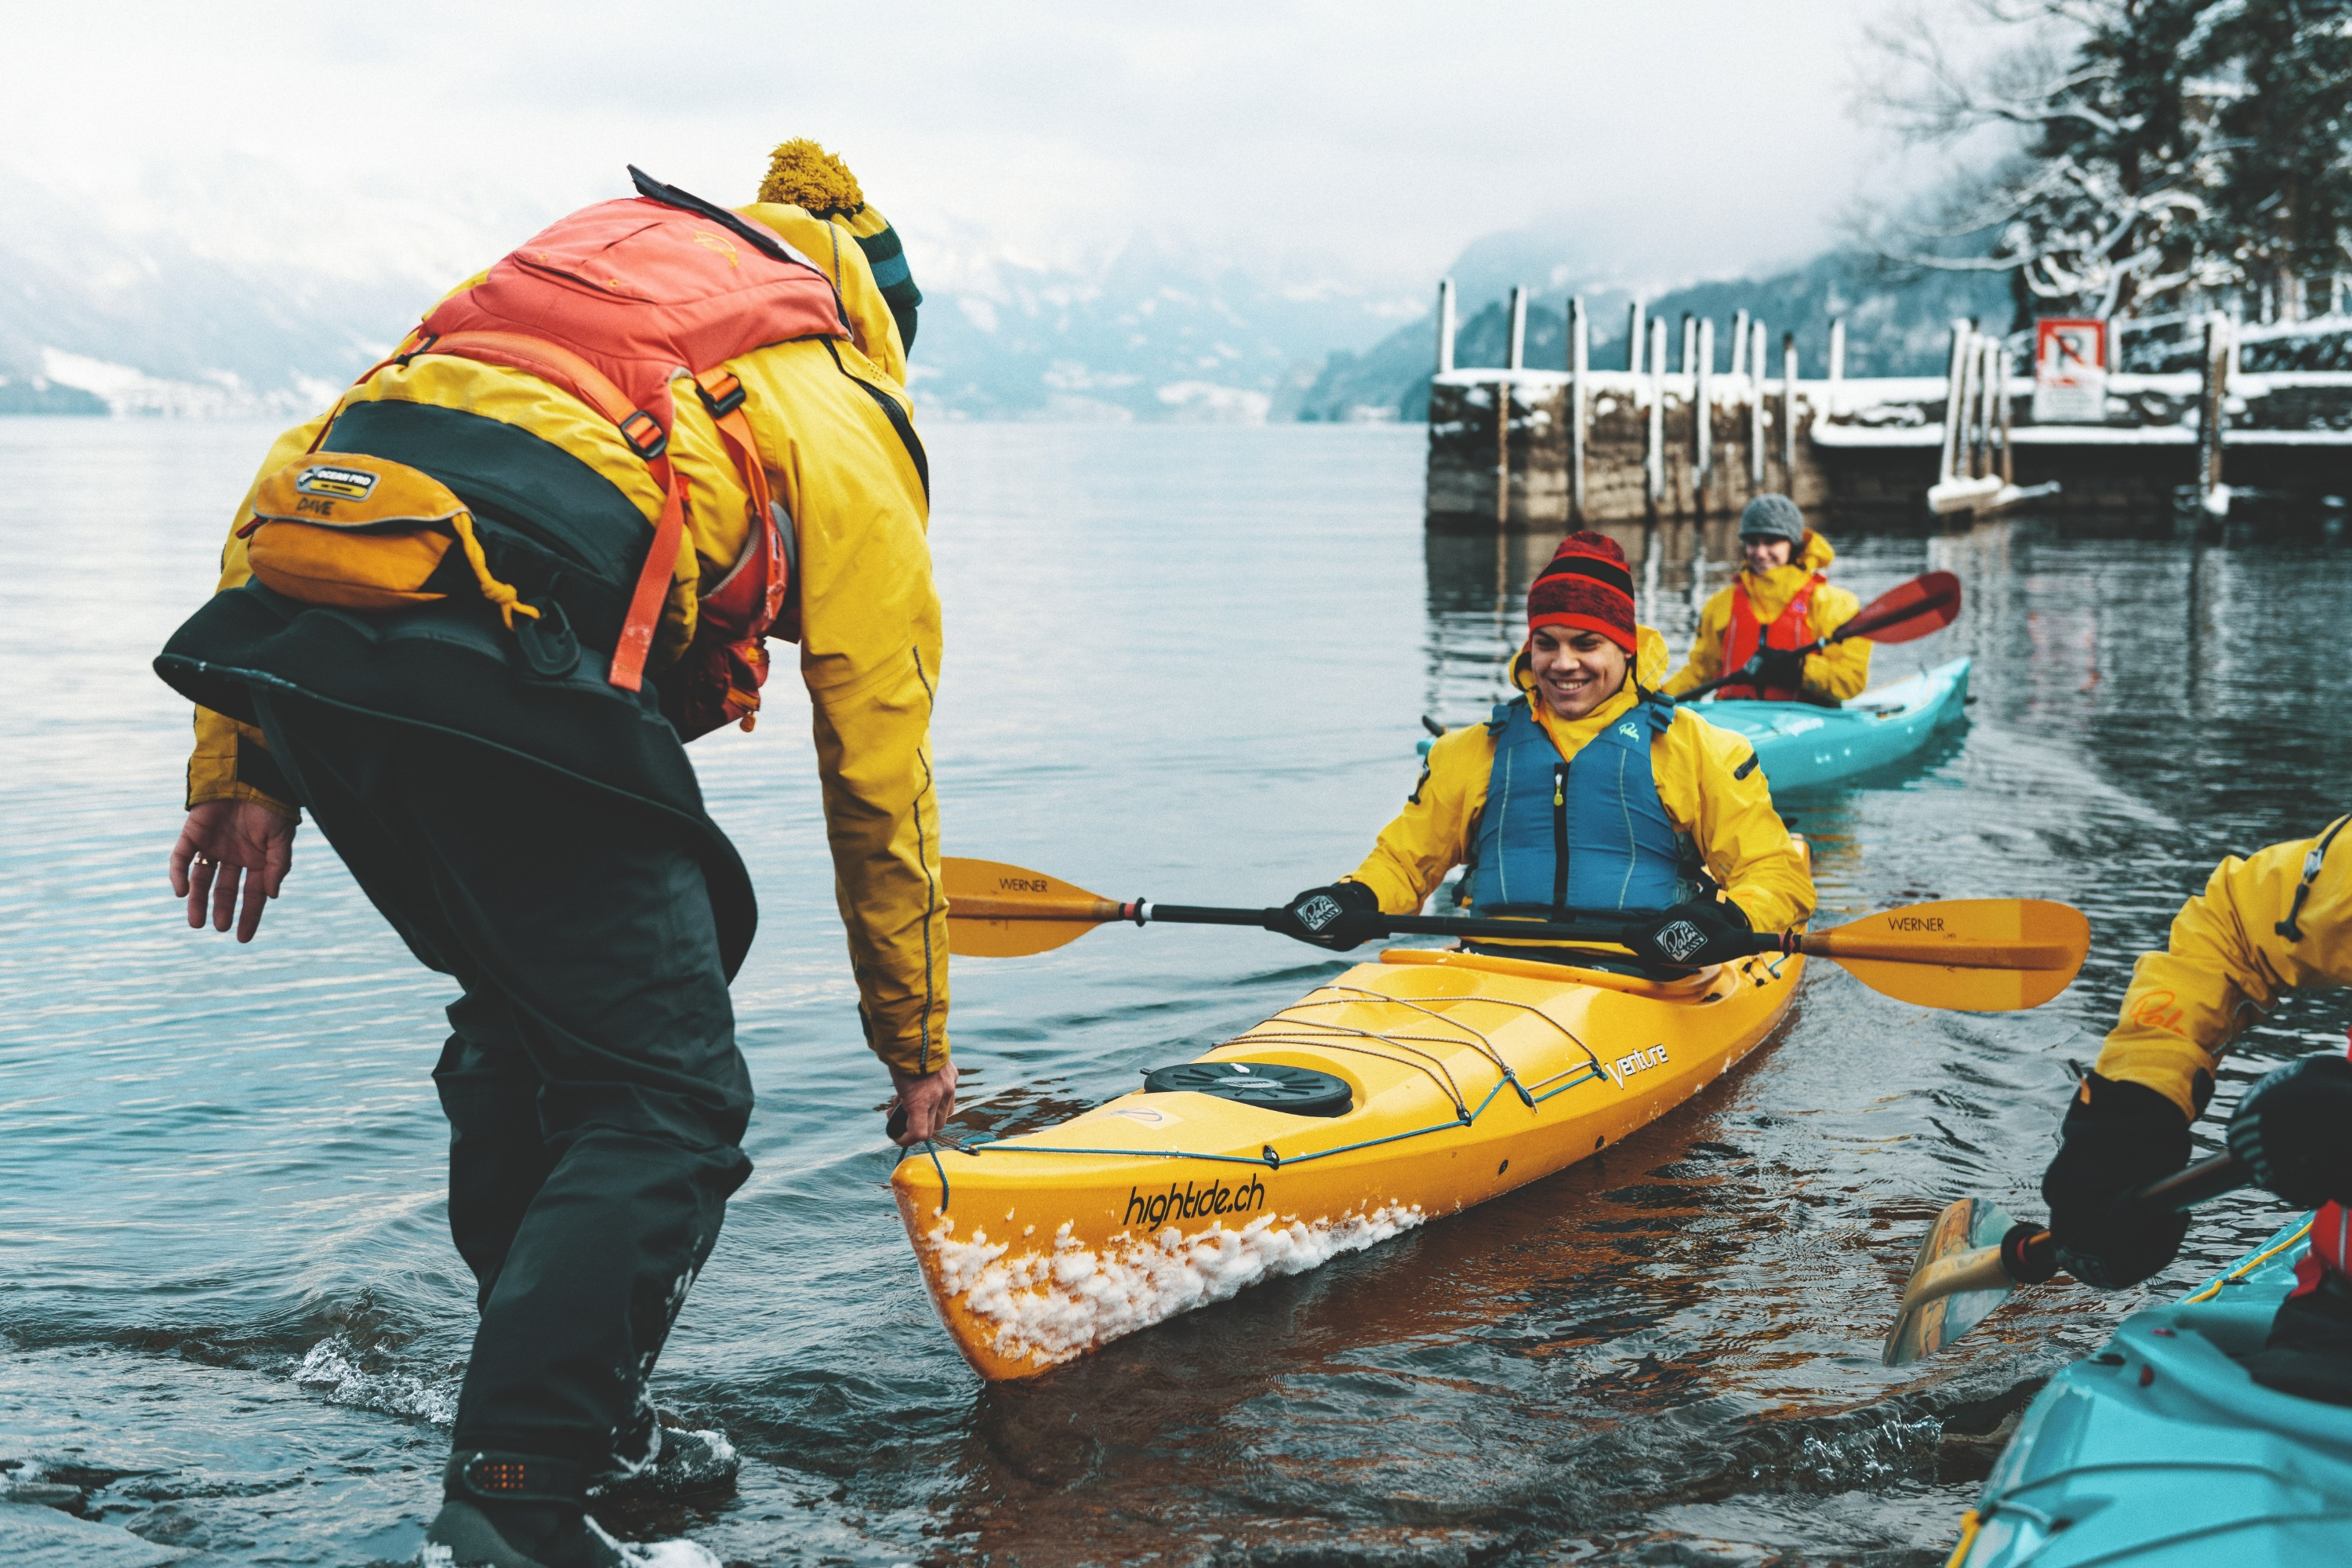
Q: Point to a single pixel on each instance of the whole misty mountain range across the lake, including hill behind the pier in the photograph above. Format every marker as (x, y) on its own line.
(126, 311)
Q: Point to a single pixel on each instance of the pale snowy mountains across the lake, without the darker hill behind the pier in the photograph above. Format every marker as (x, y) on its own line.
(100, 314)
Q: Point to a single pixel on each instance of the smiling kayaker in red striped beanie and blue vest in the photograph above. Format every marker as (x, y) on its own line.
(1586, 793)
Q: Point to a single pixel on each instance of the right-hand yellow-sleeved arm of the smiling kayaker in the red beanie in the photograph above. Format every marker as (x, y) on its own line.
(1713, 789)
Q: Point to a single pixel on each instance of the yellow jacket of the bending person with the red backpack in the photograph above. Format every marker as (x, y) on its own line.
(869, 608)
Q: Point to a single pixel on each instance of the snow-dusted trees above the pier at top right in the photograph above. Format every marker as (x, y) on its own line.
(2146, 156)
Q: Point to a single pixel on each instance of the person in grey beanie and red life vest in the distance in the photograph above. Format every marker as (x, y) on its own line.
(1775, 608)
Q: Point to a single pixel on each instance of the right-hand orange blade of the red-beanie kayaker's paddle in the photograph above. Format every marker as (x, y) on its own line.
(1977, 956)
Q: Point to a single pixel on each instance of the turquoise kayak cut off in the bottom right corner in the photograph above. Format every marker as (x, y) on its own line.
(2160, 1452)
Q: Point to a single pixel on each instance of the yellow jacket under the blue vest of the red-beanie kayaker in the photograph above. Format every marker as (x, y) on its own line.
(1706, 784)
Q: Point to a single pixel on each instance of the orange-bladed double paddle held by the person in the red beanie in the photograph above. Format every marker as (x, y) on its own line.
(1982, 956)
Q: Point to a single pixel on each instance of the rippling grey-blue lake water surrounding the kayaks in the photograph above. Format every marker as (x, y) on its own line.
(1182, 664)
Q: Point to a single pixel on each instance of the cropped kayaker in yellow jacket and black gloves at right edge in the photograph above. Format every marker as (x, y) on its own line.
(2266, 925)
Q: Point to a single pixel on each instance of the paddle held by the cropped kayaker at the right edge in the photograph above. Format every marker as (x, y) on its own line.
(1965, 1273)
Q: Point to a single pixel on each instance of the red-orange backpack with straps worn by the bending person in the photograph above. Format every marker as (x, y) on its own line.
(613, 304)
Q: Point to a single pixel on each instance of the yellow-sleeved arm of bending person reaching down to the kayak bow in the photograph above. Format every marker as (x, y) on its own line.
(869, 657)
